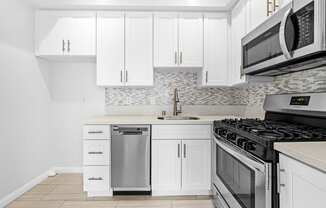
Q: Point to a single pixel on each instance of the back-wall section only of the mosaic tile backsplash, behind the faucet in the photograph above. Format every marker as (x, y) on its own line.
(162, 92)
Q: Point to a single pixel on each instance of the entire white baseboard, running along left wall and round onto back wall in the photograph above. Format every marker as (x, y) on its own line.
(26, 187)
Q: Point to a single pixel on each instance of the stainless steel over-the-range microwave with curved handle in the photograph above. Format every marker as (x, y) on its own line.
(292, 39)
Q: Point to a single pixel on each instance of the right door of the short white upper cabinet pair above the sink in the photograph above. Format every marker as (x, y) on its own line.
(191, 40)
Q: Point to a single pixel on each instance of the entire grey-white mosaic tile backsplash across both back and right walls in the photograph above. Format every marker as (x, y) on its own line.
(191, 94)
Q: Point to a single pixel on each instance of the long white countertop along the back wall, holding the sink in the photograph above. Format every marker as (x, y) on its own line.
(150, 120)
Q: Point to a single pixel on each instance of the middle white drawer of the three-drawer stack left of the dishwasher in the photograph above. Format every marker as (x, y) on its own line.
(97, 152)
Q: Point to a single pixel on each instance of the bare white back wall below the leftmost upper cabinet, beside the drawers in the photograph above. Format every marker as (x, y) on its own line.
(75, 97)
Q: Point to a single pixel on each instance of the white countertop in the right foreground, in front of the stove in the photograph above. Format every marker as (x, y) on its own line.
(311, 153)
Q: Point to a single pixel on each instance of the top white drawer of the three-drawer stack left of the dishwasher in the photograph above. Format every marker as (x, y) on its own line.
(97, 132)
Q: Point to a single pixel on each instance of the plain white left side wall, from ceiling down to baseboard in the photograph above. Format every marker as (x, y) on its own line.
(25, 147)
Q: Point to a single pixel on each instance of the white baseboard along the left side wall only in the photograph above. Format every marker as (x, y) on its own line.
(20, 191)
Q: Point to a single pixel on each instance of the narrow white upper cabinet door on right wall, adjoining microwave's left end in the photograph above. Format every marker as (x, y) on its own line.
(238, 31)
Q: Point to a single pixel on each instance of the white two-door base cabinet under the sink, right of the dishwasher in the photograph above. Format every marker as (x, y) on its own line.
(181, 160)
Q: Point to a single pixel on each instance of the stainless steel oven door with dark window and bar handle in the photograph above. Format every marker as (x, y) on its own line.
(242, 180)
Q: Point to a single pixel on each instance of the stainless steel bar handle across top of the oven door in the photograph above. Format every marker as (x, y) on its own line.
(248, 160)
